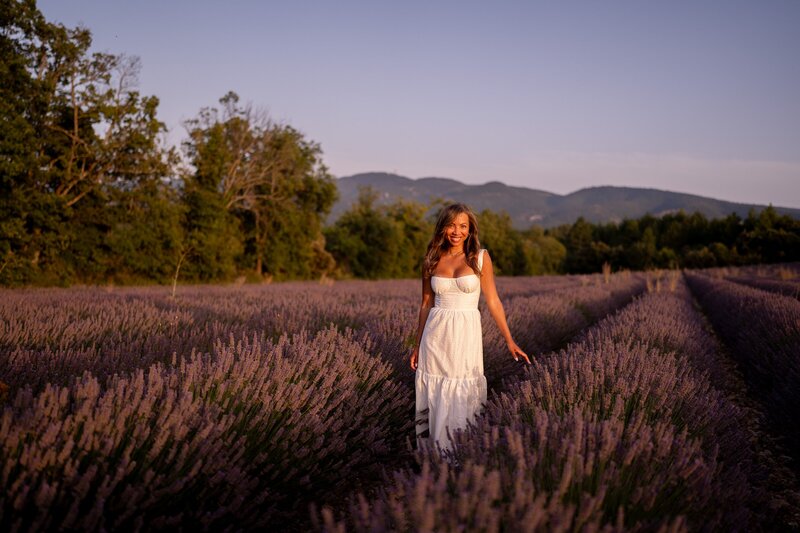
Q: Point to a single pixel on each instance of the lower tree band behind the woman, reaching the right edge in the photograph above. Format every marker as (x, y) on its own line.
(373, 241)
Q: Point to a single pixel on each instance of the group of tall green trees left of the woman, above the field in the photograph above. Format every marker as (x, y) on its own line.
(90, 194)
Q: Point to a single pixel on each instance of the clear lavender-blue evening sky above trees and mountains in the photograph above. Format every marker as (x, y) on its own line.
(693, 96)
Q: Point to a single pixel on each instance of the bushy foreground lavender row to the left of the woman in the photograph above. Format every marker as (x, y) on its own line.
(245, 437)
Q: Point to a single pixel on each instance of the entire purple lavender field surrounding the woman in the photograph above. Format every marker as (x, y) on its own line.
(655, 402)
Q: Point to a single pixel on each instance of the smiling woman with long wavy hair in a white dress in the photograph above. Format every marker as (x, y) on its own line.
(448, 354)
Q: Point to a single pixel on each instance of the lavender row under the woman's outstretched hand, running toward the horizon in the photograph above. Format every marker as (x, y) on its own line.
(621, 431)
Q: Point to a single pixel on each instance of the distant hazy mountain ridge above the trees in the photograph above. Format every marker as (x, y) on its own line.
(532, 206)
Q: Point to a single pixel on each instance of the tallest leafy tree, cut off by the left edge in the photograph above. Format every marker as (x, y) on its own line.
(76, 138)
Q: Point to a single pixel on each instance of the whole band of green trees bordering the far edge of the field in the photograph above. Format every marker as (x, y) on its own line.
(90, 192)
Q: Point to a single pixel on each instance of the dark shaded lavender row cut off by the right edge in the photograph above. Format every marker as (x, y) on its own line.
(762, 330)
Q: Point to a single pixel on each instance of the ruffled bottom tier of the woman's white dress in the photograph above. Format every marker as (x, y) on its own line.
(446, 403)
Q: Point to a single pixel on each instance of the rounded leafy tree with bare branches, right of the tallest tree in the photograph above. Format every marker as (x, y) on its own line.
(267, 180)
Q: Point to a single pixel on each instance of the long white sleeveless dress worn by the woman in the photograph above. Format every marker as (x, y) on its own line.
(450, 385)
